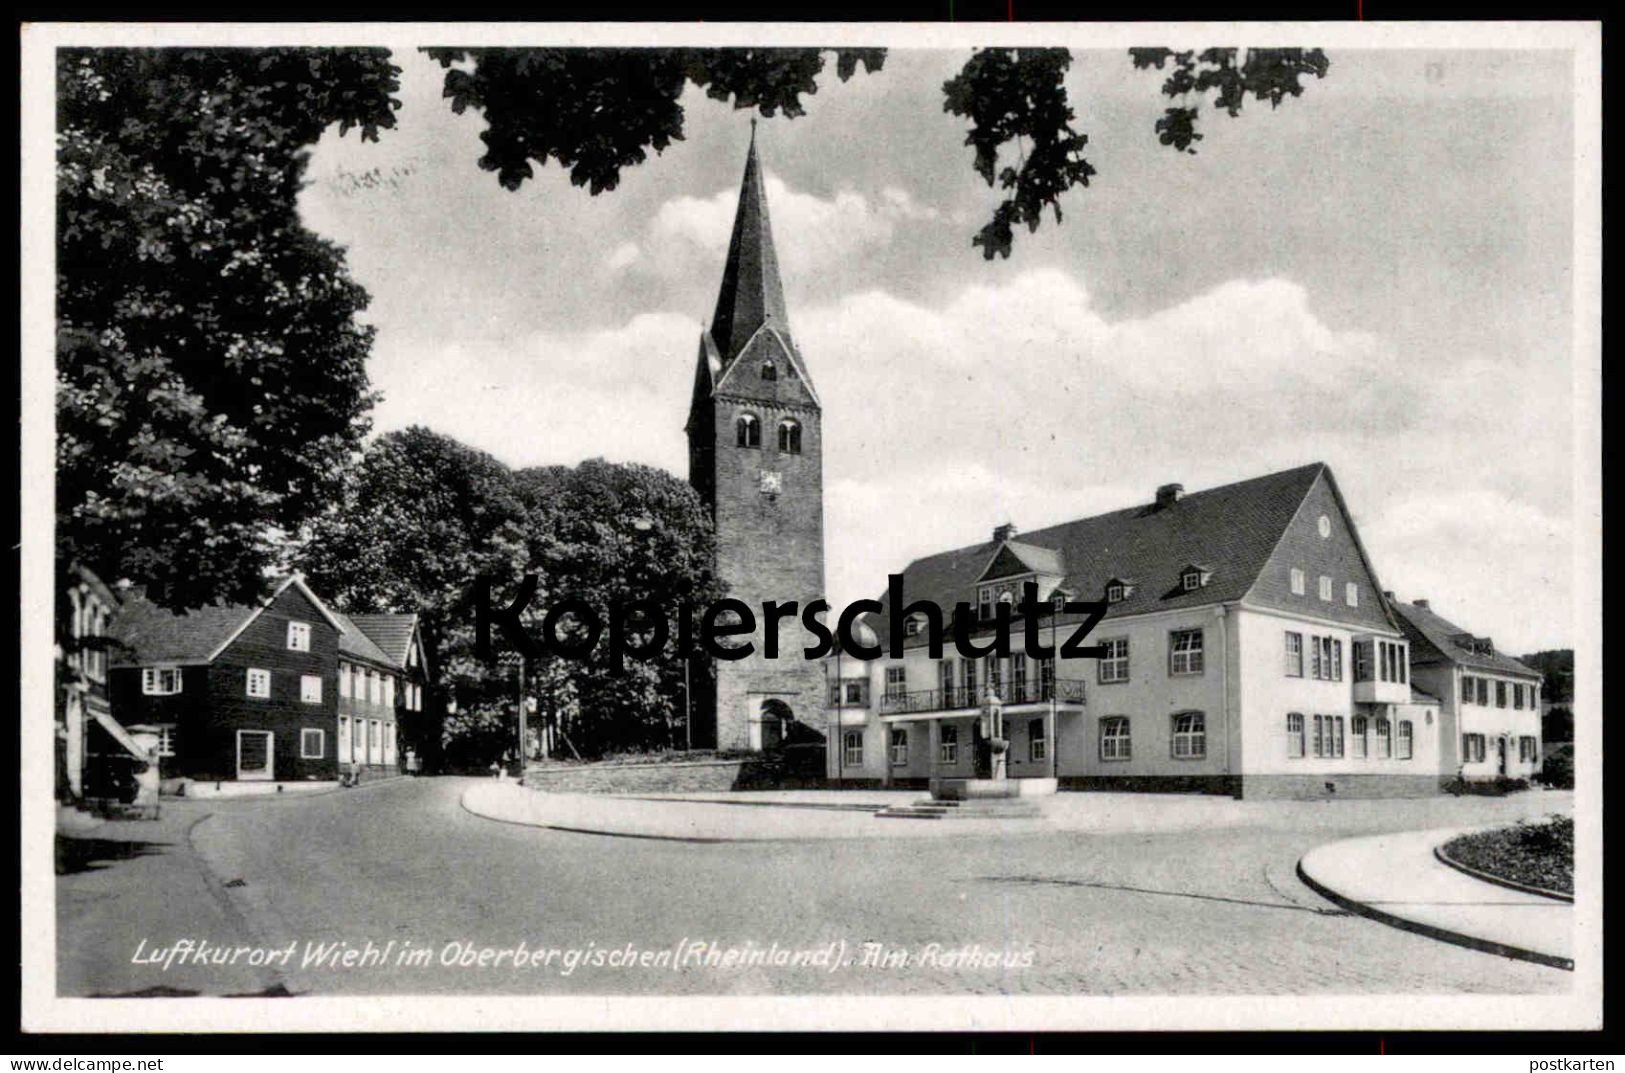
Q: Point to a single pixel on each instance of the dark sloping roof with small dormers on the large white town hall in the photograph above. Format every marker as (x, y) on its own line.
(1233, 529)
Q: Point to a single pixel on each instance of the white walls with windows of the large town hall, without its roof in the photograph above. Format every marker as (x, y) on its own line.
(1185, 729)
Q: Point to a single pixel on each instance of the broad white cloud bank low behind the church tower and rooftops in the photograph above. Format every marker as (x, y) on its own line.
(1023, 402)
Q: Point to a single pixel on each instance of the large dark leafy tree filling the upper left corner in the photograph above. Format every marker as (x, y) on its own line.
(210, 368)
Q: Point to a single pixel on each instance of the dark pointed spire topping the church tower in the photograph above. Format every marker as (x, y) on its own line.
(752, 293)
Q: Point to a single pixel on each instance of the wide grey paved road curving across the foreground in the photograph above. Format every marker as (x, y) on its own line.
(1185, 913)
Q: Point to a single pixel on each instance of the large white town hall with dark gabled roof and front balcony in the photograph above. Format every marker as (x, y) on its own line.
(1249, 651)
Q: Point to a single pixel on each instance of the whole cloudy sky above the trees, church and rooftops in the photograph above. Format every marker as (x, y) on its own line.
(1377, 276)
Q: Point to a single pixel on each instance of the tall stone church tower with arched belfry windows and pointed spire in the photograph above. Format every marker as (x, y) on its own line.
(756, 458)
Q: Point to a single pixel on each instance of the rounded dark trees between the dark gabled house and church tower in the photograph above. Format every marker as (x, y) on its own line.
(423, 516)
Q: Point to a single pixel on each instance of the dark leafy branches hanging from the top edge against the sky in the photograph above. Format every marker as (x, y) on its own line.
(597, 111)
